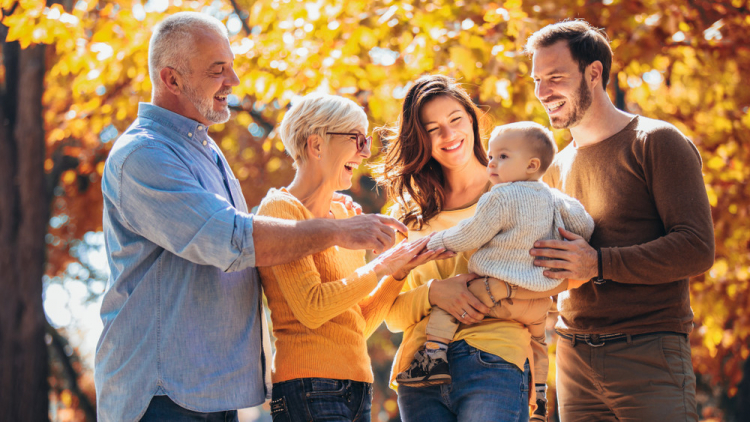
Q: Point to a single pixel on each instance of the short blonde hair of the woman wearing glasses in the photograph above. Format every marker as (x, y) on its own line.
(316, 114)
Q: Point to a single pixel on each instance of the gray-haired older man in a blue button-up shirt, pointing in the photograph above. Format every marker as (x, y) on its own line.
(184, 329)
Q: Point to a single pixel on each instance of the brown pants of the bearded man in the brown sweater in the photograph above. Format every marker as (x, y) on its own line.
(648, 378)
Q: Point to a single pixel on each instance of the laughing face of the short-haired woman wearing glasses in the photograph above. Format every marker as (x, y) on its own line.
(341, 157)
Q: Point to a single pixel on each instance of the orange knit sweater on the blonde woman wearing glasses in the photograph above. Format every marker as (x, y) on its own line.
(324, 306)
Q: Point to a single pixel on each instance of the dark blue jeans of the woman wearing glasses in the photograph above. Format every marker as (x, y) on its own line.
(321, 399)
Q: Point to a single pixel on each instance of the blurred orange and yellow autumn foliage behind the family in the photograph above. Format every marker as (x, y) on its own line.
(685, 62)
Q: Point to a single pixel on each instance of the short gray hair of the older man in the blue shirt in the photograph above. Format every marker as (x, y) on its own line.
(173, 39)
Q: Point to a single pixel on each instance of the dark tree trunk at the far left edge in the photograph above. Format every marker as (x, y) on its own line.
(24, 214)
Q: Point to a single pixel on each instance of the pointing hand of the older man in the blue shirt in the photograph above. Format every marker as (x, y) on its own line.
(368, 231)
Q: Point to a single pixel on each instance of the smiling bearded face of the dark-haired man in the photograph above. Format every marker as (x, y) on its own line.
(560, 86)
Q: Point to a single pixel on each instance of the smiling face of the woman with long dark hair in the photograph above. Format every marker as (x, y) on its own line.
(449, 128)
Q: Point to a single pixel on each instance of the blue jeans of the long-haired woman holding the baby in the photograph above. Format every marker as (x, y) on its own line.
(485, 388)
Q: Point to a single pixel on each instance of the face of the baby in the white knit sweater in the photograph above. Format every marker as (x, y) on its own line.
(510, 158)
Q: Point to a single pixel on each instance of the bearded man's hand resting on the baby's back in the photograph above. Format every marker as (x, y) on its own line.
(574, 257)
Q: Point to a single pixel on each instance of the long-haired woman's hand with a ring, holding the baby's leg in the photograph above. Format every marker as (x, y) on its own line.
(452, 295)
